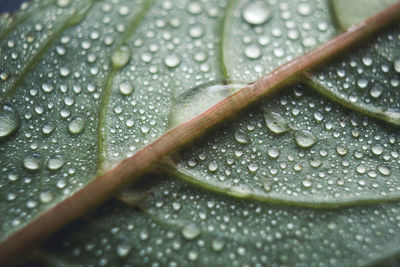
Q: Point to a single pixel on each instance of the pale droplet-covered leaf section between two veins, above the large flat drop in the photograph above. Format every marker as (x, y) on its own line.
(172, 51)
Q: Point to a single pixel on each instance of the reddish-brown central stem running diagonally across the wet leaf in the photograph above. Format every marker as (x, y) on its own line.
(105, 185)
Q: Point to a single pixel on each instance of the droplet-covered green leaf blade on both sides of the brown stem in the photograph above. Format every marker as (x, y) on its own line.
(86, 84)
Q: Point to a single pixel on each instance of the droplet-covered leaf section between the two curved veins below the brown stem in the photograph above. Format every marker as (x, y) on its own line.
(298, 145)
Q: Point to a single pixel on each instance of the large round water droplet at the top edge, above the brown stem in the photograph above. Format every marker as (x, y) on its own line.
(256, 13)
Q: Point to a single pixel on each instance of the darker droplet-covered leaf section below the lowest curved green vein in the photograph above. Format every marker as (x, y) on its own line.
(184, 226)
